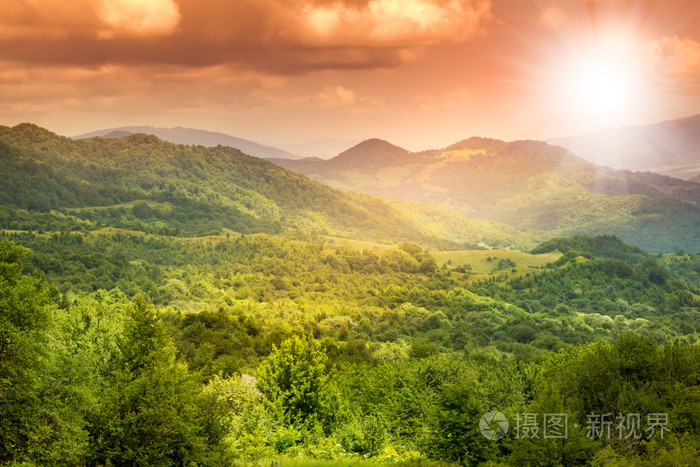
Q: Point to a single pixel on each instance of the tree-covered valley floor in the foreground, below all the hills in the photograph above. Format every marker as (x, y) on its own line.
(261, 347)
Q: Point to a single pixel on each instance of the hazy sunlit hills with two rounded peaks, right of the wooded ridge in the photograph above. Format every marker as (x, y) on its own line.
(530, 185)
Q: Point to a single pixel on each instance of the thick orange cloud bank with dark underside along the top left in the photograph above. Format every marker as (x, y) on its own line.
(282, 36)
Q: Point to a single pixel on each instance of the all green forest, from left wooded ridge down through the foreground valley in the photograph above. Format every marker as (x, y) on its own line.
(239, 315)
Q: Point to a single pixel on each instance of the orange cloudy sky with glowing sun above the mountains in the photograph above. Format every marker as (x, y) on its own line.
(419, 73)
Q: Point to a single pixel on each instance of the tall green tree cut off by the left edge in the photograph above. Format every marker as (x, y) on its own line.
(40, 400)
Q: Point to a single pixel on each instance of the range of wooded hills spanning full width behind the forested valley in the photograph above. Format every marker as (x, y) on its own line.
(479, 190)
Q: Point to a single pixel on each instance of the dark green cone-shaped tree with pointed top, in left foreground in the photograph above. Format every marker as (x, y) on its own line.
(148, 416)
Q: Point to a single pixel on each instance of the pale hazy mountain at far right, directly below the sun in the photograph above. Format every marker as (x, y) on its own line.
(670, 148)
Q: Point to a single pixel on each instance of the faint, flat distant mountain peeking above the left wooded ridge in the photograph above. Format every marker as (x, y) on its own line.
(179, 135)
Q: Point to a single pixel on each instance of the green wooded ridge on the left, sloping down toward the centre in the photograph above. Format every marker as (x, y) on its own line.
(142, 183)
